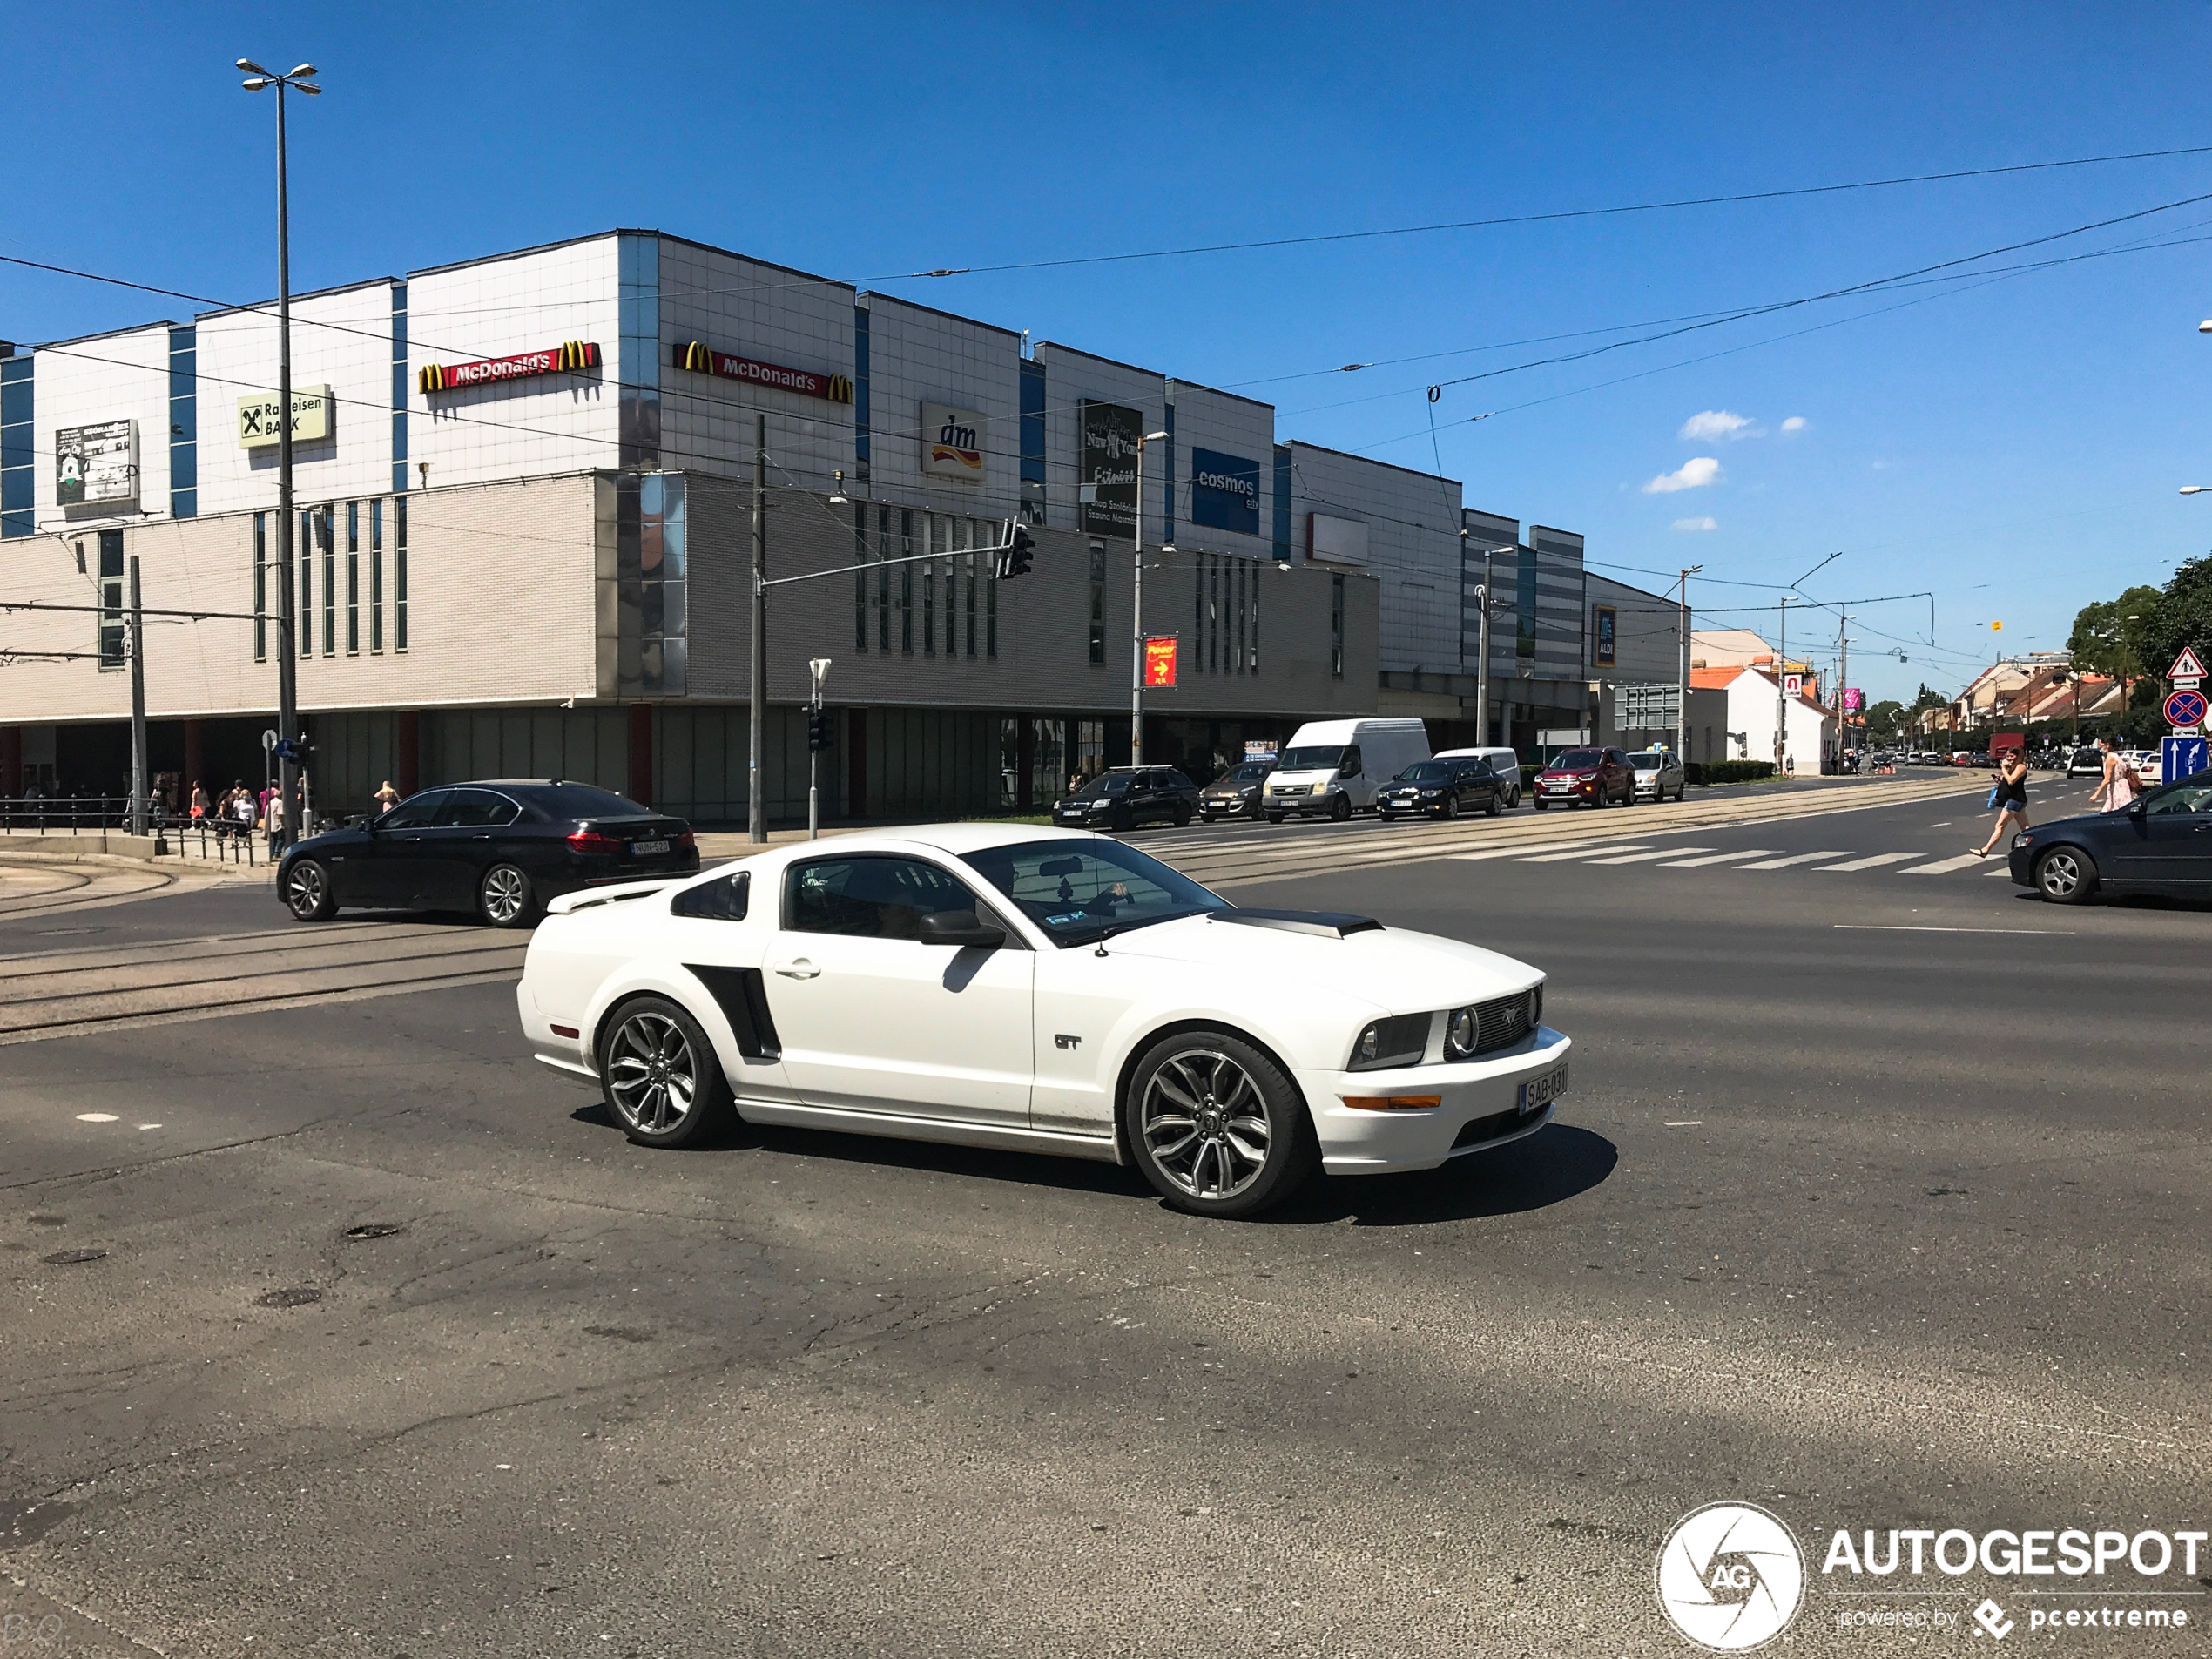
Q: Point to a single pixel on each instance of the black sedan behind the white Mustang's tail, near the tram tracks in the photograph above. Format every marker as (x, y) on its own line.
(501, 848)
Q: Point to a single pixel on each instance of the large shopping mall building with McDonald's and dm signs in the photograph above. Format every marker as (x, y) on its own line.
(525, 494)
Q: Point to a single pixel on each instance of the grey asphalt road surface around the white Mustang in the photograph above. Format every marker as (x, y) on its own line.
(1881, 1200)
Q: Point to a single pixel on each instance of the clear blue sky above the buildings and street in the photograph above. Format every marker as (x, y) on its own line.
(2014, 446)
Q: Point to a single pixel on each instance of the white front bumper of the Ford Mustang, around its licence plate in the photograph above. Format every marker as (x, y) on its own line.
(1483, 1094)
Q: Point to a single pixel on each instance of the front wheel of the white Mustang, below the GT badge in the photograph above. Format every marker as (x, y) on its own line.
(1218, 1127)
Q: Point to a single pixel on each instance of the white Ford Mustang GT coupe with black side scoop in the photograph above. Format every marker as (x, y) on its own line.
(1041, 990)
